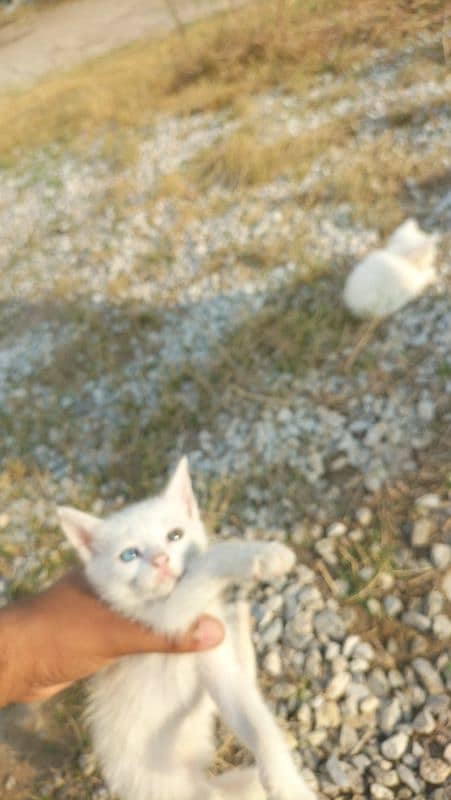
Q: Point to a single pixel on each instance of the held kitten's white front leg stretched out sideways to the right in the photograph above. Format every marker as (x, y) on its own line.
(210, 572)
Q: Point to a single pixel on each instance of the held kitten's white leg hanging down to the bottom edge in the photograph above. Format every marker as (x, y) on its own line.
(243, 708)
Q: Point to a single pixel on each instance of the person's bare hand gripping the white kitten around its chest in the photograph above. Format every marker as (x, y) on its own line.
(55, 638)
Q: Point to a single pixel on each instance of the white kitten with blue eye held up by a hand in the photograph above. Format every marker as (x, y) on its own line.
(152, 716)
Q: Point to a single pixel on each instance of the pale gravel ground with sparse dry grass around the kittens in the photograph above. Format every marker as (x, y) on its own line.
(108, 291)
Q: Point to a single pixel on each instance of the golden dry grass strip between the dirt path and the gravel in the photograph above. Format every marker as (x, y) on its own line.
(216, 63)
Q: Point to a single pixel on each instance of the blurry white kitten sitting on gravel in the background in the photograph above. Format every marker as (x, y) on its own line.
(389, 278)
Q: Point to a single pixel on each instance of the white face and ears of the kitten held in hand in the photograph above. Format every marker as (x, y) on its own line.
(137, 555)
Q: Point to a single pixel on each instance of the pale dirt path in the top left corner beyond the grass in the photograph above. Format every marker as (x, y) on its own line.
(59, 37)
